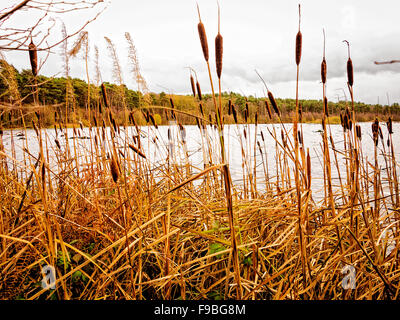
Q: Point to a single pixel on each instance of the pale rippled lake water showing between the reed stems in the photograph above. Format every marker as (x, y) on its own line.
(234, 139)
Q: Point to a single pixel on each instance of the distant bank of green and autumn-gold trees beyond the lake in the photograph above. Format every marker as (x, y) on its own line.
(16, 91)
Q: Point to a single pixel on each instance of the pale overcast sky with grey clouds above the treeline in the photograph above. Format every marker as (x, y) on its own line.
(258, 34)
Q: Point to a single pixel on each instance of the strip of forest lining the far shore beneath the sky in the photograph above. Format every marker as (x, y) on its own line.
(68, 98)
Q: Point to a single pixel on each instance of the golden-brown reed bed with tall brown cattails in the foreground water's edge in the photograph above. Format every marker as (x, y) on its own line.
(116, 225)
